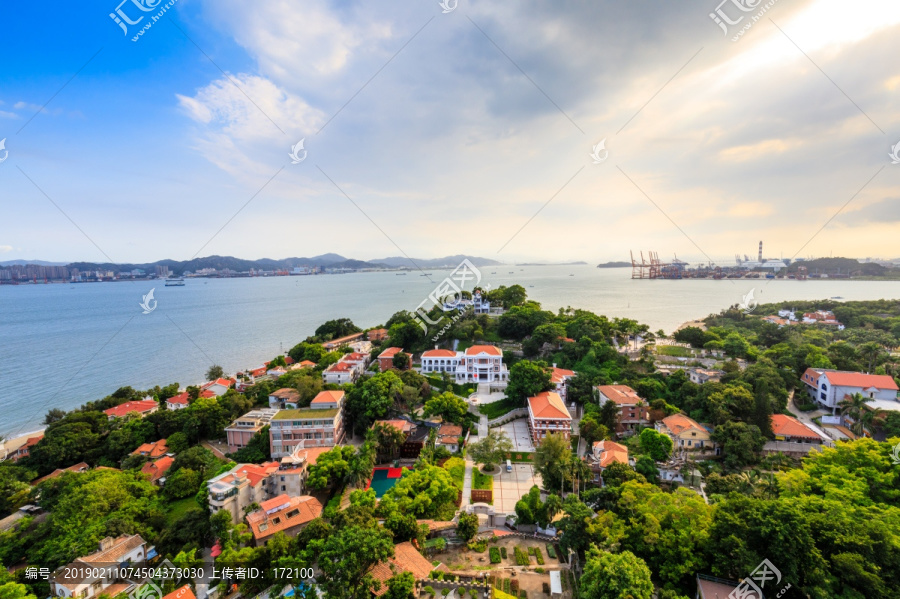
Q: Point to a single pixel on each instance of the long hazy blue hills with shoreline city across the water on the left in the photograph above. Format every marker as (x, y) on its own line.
(329, 260)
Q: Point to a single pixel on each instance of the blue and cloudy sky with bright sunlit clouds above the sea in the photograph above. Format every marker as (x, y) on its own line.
(436, 129)
